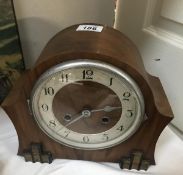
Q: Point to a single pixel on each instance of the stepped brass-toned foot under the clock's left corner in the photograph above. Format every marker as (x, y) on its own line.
(37, 154)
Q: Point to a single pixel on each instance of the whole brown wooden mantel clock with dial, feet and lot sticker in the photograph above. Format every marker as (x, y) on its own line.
(88, 97)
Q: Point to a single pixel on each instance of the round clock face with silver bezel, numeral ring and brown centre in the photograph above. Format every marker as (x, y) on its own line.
(87, 104)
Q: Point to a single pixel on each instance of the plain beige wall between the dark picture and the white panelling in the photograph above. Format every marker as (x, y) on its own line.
(39, 20)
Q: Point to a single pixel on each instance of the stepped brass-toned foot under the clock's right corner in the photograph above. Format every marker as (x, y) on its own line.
(134, 161)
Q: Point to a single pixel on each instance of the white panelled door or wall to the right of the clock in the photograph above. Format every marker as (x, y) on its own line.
(156, 27)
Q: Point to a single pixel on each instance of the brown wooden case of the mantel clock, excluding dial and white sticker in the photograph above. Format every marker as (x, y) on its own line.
(109, 46)
